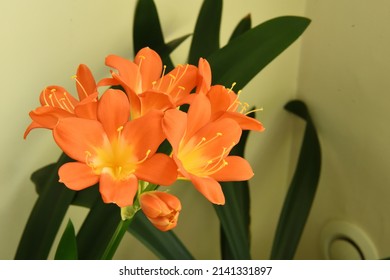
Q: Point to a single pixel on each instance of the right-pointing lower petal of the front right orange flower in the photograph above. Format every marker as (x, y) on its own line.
(237, 169)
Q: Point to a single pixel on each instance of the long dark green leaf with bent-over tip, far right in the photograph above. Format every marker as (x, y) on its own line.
(302, 189)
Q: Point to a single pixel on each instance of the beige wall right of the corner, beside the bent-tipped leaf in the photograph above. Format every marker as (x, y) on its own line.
(344, 78)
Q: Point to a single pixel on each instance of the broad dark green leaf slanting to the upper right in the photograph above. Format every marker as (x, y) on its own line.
(243, 58)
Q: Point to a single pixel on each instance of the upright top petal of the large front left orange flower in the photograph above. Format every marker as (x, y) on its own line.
(113, 111)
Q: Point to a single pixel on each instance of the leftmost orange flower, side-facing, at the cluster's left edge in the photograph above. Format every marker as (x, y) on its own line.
(57, 103)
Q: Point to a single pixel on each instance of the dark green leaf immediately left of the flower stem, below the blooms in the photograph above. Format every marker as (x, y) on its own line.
(97, 230)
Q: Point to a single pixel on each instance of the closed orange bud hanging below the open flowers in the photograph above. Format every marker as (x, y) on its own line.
(161, 208)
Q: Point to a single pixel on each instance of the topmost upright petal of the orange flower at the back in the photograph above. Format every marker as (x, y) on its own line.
(150, 66)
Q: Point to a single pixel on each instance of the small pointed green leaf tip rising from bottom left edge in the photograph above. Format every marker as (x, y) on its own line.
(67, 247)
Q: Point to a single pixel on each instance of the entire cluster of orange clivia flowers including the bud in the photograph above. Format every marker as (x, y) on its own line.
(114, 138)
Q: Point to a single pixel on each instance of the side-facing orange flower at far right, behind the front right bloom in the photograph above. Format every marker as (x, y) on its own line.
(224, 102)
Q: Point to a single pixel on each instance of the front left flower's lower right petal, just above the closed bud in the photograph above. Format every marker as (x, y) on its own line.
(158, 169)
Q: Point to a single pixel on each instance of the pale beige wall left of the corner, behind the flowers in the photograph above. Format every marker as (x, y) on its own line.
(43, 42)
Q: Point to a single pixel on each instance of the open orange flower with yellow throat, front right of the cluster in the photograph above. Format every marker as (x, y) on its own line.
(201, 148)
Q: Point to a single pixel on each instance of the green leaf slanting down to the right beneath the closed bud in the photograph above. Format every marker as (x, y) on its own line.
(165, 245)
